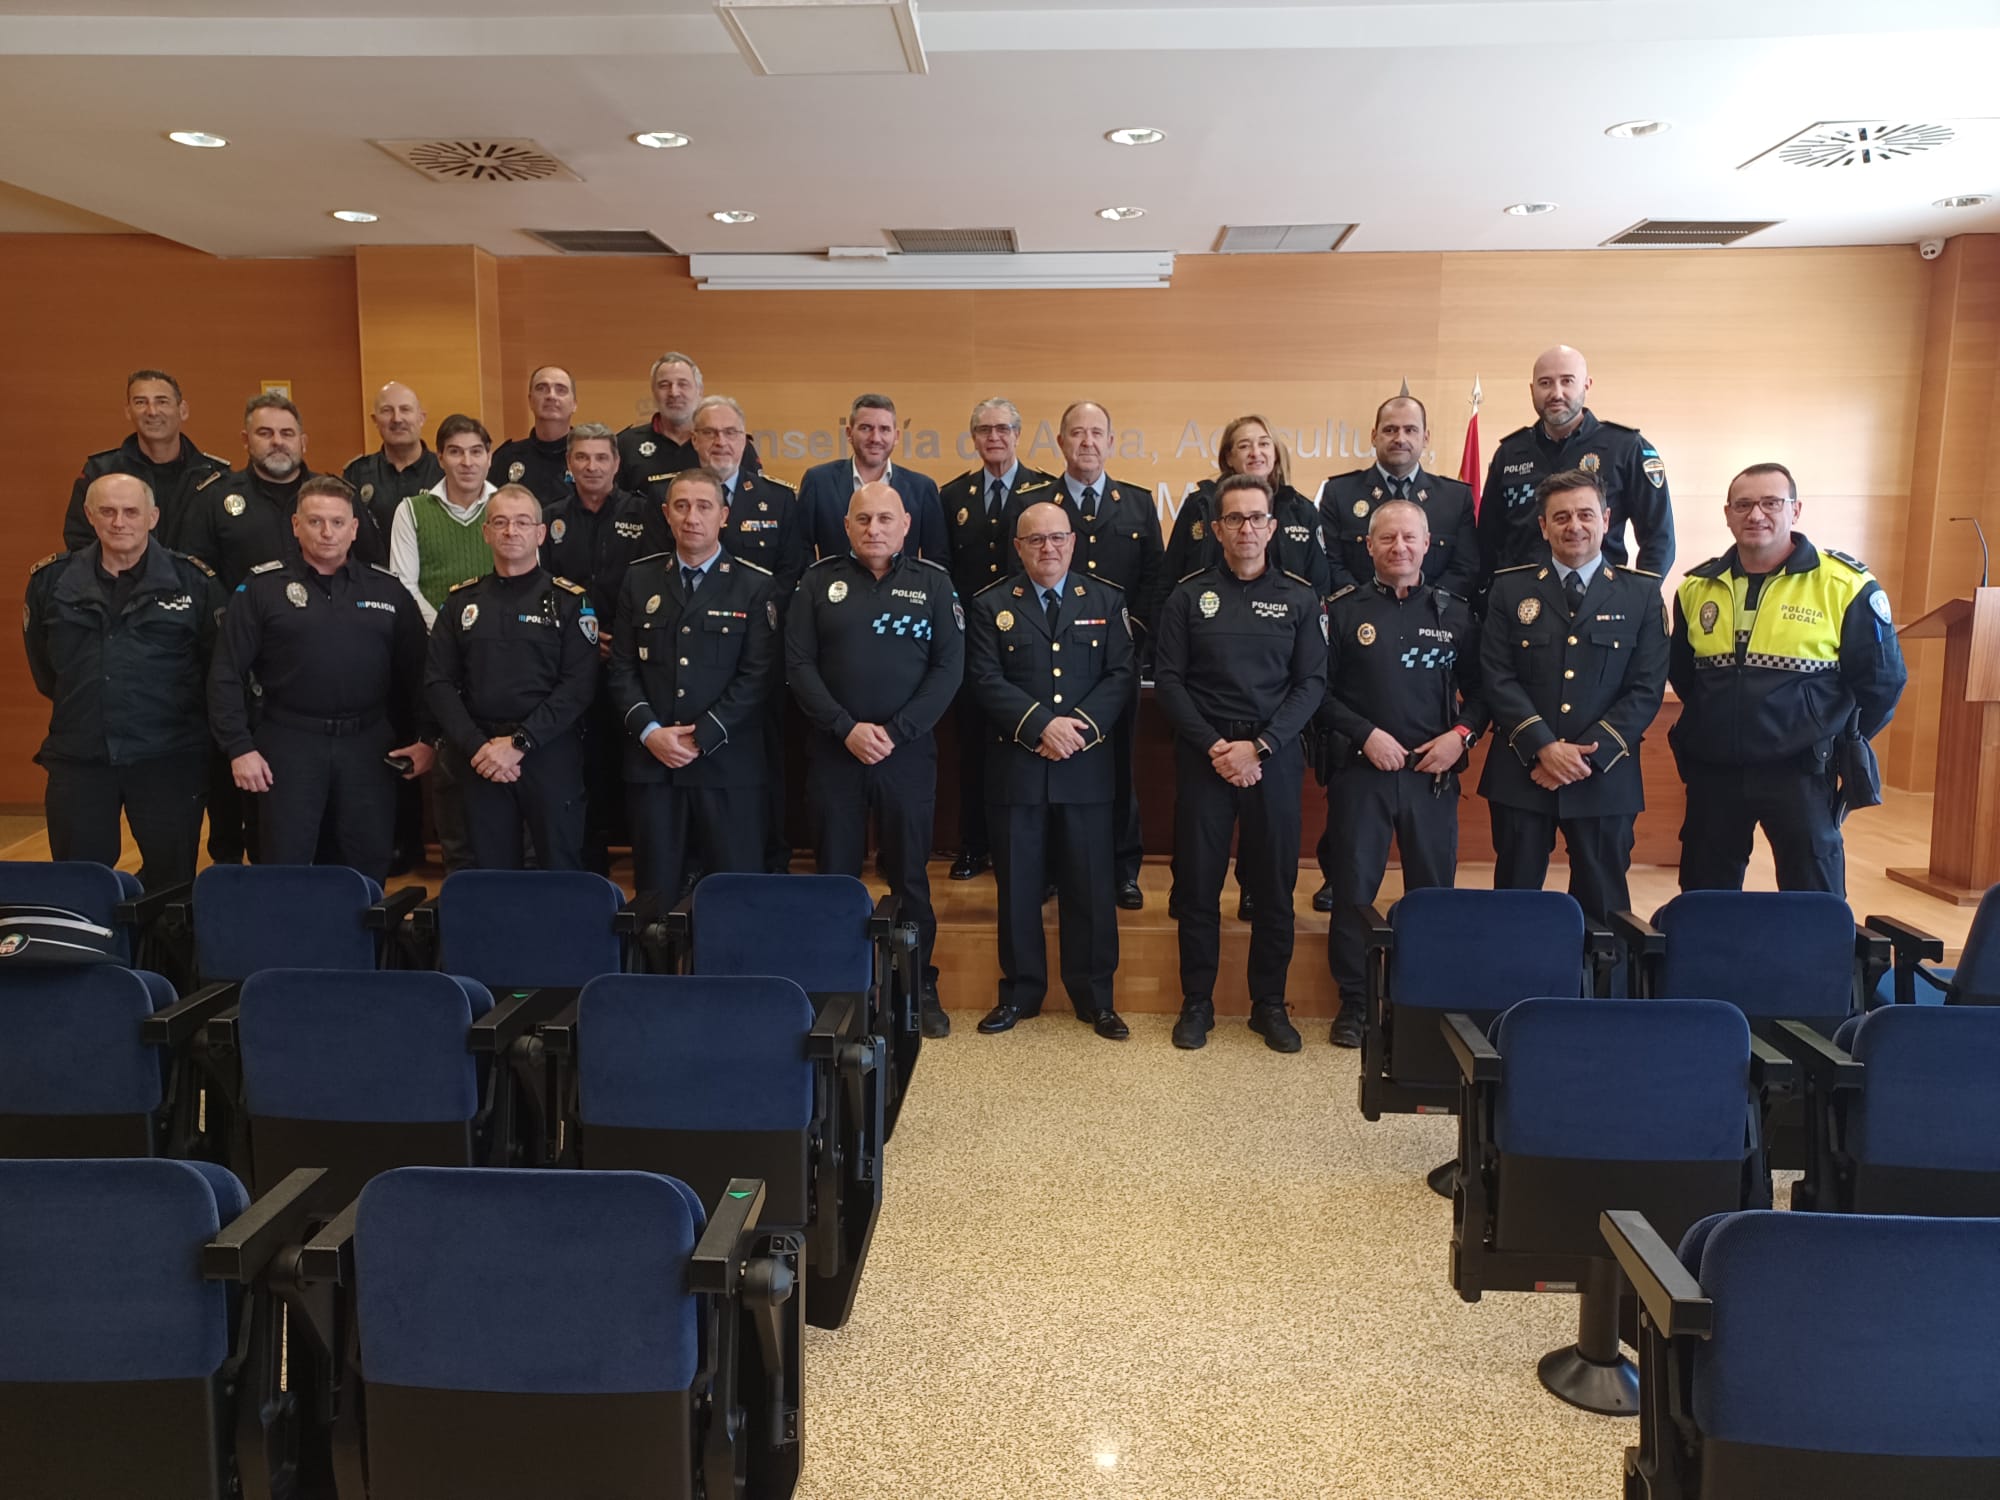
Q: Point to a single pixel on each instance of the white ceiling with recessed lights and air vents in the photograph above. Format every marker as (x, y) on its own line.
(1415, 121)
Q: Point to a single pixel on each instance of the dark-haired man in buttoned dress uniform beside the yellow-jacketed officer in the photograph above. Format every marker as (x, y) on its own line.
(1573, 665)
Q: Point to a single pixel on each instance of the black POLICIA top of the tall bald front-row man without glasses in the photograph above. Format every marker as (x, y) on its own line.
(875, 651)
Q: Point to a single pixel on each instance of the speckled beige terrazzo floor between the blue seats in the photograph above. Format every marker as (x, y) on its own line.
(1127, 1271)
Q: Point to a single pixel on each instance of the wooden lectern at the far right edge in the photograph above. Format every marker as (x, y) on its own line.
(1965, 815)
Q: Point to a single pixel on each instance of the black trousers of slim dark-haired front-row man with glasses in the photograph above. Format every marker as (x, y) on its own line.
(1207, 809)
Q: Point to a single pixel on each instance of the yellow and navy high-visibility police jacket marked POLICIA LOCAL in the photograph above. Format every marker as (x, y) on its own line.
(1781, 675)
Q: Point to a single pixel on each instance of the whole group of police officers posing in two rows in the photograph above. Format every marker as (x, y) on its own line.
(625, 629)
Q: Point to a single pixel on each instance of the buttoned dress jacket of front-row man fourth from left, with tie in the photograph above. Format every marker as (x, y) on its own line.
(703, 663)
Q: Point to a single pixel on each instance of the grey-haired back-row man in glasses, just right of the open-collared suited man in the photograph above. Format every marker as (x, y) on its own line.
(977, 507)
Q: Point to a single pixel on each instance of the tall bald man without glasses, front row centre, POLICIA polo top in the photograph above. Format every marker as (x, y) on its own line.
(875, 649)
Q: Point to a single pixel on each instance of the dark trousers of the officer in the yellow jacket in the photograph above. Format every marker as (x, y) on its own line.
(1791, 801)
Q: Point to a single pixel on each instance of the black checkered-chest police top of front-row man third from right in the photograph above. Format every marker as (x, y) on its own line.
(1407, 667)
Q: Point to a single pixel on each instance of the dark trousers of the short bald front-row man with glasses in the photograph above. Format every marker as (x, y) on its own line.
(1073, 843)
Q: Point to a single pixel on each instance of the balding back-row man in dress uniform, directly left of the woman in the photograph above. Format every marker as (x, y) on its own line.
(1117, 541)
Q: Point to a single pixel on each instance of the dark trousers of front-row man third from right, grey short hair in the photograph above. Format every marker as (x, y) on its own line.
(1363, 809)
